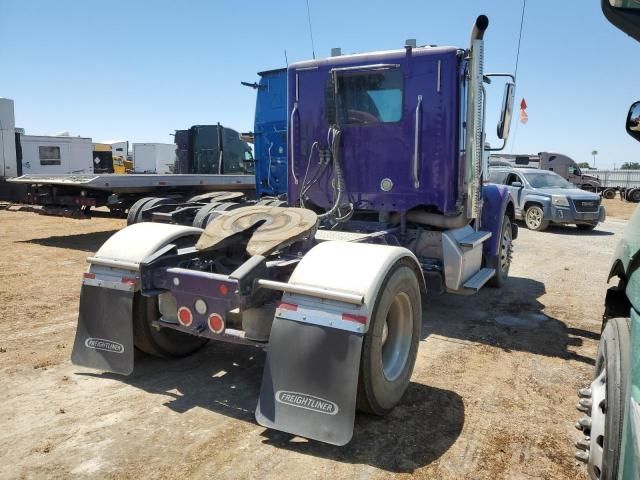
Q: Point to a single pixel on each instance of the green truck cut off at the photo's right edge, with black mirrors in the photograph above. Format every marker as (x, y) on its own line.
(610, 447)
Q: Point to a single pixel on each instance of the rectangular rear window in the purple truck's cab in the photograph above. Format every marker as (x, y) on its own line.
(366, 98)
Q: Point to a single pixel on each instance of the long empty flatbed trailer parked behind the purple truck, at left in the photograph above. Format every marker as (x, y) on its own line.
(75, 195)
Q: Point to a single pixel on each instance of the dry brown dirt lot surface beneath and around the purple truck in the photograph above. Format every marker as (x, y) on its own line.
(492, 394)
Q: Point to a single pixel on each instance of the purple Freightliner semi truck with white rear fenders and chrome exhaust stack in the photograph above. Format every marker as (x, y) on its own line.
(386, 156)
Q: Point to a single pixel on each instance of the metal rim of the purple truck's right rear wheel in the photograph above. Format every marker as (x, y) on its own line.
(396, 337)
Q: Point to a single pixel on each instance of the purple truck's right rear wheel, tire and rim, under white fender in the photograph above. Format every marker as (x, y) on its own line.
(391, 344)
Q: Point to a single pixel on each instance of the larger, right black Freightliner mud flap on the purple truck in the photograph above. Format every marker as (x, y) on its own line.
(310, 381)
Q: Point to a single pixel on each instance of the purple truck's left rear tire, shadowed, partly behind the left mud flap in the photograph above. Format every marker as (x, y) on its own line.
(162, 342)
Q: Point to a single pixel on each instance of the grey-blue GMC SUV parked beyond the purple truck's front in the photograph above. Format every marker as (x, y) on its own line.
(543, 197)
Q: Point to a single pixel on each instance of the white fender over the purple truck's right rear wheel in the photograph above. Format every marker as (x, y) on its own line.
(357, 268)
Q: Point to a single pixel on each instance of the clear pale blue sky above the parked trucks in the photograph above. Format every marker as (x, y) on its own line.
(138, 70)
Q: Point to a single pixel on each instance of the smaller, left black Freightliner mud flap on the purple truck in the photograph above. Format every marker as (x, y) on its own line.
(104, 336)
